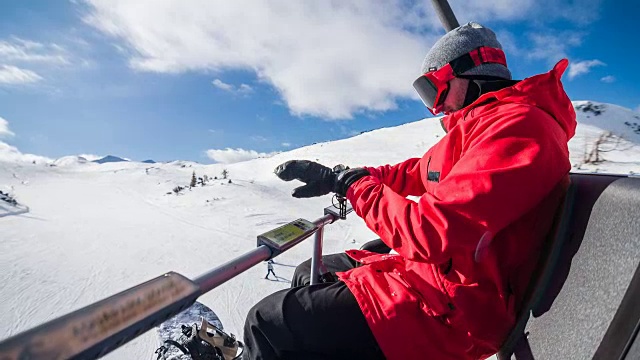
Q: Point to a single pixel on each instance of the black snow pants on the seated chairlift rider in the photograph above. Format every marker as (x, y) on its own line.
(311, 322)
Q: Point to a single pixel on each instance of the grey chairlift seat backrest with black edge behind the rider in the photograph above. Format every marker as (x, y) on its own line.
(589, 308)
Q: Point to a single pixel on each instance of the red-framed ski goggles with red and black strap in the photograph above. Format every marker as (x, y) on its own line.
(433, 86)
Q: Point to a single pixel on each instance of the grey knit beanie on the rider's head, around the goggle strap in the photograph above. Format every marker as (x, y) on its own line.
(460, 41)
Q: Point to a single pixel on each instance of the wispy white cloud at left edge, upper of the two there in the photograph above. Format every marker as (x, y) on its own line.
(21, 50)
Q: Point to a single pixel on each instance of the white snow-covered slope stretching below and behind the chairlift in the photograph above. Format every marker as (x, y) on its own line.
(97, 229)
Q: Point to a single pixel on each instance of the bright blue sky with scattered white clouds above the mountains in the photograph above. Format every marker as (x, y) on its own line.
(225, 81)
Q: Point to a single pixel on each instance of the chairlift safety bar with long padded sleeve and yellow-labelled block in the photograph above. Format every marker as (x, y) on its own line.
(97, 329)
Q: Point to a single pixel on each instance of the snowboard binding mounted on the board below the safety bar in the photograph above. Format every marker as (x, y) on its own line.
(206, 342)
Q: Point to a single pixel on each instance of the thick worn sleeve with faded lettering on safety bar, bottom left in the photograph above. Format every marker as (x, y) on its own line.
(99, 328)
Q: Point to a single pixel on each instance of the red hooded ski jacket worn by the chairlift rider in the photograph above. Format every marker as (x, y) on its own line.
(467, 248)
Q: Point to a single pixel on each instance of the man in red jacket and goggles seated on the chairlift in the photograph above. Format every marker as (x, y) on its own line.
(465, 250)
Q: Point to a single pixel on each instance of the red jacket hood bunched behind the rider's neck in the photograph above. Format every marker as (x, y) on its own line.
(544, 91)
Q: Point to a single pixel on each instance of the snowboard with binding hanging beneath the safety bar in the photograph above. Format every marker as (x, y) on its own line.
(204, 328)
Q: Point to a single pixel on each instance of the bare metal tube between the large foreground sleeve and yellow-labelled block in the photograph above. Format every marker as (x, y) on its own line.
(229, 270)
